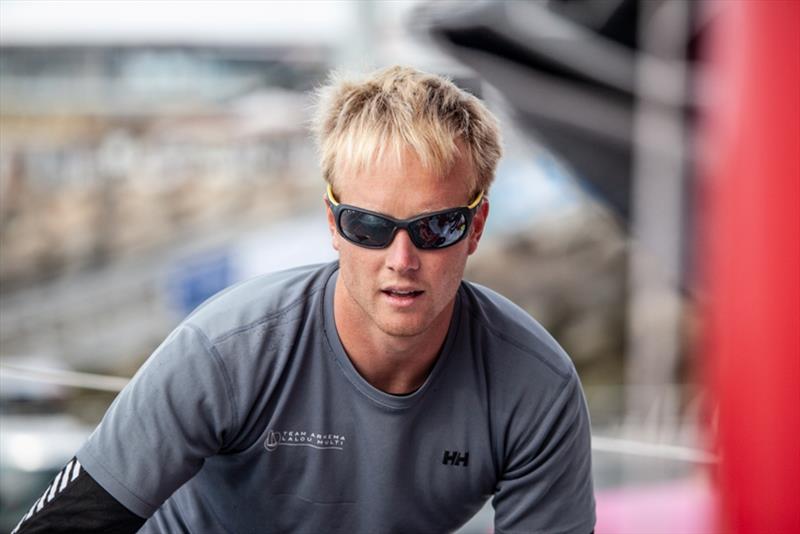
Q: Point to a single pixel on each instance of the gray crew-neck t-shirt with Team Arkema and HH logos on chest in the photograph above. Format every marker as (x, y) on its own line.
(251, 418)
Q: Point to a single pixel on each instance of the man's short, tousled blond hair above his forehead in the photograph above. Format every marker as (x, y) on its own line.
(358, 121)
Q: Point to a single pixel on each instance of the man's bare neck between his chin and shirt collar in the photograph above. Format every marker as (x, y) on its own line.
(394, 364)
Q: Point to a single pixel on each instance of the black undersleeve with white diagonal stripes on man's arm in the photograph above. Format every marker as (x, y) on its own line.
(74, 502)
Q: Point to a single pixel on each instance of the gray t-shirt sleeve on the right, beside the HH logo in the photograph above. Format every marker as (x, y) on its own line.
(546, 483)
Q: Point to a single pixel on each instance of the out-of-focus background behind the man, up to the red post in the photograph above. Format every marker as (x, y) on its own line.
(153, 153)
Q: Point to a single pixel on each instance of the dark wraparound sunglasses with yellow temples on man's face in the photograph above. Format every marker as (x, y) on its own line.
(435, 230)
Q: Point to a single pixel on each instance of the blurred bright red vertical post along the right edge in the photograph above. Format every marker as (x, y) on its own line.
(750, 258)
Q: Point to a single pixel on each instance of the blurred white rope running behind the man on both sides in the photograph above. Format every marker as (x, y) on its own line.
(116, 383)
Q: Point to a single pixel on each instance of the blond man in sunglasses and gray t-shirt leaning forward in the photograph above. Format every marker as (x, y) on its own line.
(380, 393)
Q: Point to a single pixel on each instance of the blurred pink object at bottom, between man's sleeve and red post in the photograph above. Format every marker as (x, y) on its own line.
(675, 507)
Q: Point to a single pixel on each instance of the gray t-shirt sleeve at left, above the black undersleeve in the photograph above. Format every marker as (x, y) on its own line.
(178, 410)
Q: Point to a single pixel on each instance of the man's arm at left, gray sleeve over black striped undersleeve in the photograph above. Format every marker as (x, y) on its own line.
(155, 436)
